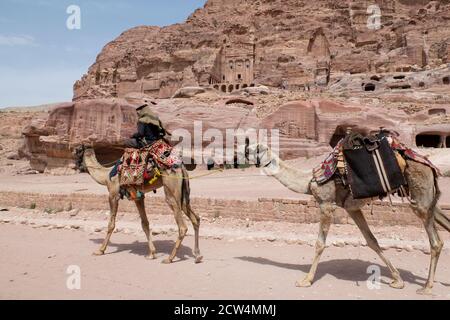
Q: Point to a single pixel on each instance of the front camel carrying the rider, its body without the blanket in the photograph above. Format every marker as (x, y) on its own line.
(177, 191)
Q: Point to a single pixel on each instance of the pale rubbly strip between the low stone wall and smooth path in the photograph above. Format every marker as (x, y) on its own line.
(229, 229)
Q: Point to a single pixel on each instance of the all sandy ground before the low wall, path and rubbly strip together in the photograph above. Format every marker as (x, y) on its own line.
(241, 261)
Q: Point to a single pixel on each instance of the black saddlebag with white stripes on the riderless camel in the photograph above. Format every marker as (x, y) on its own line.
(374, 173)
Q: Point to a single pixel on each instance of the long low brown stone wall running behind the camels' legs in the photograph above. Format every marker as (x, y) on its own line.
(263, 209)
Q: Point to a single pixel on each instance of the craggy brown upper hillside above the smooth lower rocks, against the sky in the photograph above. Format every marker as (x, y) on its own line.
(285, 42)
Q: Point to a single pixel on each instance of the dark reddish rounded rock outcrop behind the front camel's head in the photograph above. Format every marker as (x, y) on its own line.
(50, 143)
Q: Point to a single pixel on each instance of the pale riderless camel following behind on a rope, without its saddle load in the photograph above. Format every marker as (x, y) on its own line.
(424, 192)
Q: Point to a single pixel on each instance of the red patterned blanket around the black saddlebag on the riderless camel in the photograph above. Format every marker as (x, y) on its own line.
(335, 162)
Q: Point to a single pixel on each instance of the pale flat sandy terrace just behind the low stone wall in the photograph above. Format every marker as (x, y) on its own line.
(231, 184)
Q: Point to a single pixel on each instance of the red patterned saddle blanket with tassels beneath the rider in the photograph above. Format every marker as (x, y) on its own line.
(136, 165)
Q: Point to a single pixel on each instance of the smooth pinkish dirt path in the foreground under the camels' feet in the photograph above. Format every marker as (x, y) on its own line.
(34, 262)
